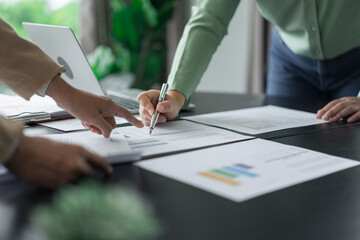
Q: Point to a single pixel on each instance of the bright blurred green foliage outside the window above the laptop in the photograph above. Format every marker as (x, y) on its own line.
(39, 11)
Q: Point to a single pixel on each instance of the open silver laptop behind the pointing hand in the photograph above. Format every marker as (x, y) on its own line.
(61, 45)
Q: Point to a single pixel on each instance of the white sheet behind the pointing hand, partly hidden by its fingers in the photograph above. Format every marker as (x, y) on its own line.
(74, 124)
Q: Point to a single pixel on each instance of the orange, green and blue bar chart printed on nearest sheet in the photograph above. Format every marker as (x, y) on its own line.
(230, 174)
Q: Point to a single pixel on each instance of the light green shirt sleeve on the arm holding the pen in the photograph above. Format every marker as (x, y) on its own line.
(202, 35)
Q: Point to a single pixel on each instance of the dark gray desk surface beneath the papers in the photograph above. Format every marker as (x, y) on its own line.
(325, 208)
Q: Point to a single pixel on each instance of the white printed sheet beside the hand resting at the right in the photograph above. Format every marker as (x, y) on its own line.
(258, 119)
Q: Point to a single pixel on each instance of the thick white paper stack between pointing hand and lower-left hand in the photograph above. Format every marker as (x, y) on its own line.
(114, 150)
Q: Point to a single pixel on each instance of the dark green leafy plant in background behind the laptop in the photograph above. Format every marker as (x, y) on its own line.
(138, 40)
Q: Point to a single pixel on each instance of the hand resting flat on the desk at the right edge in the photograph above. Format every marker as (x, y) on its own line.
(341, 108)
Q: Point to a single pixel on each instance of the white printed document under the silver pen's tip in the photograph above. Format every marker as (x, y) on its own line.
(175, 136)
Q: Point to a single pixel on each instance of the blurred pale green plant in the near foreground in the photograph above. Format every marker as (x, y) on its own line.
(92, 211)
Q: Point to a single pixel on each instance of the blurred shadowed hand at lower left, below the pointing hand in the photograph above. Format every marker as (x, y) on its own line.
(51, 164)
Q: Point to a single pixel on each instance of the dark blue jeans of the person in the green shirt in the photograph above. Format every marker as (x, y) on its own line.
(291, 75)
